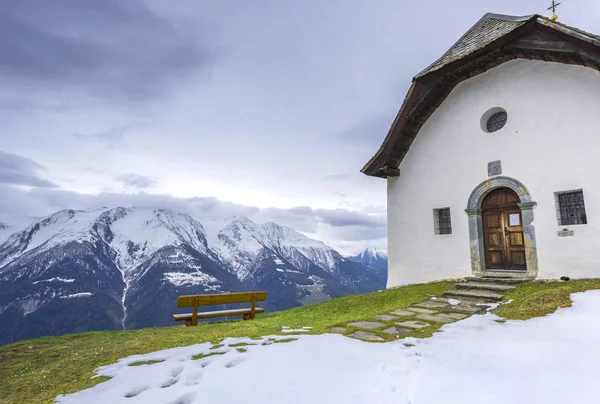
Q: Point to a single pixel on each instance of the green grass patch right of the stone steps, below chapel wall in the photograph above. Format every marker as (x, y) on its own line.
(539, 298)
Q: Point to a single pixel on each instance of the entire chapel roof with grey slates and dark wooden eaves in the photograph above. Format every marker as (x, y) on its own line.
(495, 39)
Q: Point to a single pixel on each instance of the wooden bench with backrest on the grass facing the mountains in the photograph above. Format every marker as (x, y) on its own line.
(221, 298)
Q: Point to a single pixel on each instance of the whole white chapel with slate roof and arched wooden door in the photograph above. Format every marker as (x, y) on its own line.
(493, 161)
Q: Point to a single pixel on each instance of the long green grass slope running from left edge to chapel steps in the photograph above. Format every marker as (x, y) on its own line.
(36, 371)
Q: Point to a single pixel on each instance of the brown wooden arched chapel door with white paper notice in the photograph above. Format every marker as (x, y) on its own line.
(503, 231)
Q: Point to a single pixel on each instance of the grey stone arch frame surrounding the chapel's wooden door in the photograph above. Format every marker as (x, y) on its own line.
(476, 226)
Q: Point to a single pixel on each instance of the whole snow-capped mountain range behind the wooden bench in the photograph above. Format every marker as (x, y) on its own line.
(110, 269)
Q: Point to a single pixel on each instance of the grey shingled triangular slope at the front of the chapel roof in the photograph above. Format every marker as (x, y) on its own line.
(484, 32)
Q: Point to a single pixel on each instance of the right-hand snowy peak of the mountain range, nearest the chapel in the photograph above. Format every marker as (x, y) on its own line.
(286, 263)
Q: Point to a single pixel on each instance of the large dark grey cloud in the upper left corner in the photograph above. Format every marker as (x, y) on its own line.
(108, 47)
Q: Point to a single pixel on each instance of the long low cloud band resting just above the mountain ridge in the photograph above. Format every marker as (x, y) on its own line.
(344, 225)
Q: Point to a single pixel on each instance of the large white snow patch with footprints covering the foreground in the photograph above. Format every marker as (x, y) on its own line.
(553, 359)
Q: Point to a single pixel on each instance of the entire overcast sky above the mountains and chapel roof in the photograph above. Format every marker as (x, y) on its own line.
(264, 108)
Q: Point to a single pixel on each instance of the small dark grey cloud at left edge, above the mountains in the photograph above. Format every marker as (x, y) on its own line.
(18, 170)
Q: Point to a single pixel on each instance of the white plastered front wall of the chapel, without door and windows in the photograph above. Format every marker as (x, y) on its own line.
(550, 143)
